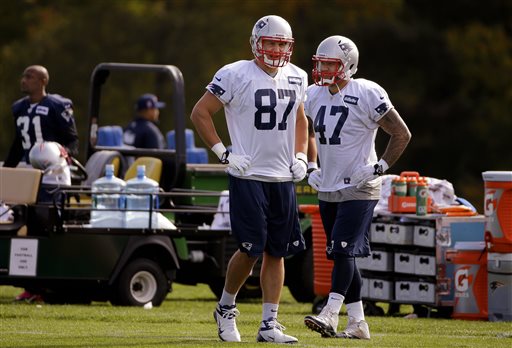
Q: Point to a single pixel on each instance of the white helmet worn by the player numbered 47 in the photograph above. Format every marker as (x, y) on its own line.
(335, 49)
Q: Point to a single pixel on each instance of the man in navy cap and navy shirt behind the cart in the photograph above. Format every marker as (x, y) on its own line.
(143, 132)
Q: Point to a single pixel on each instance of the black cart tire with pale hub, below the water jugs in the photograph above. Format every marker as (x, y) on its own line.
(140, 282)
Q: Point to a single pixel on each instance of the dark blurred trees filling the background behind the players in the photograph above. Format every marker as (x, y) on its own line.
(445, 64)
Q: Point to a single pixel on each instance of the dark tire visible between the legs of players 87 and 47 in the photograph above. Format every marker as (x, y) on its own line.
(299, 276)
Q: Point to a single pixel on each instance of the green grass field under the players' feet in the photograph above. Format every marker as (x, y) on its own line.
(185, 320)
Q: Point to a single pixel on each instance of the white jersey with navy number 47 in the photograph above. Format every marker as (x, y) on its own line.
(345, 128)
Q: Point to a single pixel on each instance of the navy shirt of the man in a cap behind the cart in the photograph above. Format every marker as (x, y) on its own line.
(143, 133)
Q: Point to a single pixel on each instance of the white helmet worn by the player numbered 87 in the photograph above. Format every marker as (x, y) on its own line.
(272, 28)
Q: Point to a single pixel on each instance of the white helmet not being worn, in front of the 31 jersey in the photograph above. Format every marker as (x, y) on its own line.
(51, 157)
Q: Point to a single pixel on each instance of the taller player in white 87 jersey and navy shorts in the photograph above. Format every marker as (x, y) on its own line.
(263, 105)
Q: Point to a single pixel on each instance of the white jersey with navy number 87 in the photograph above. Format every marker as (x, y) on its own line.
(261, 114)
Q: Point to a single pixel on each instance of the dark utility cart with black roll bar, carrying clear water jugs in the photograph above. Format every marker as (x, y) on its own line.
(53, 250)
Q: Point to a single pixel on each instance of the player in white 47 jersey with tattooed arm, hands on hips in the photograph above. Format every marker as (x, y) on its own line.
(346, 115)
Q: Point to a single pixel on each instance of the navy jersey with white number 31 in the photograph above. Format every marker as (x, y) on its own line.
(49, 120)
